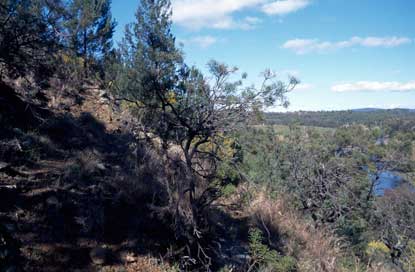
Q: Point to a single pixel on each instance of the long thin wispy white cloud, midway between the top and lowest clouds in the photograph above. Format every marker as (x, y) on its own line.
(304, 46)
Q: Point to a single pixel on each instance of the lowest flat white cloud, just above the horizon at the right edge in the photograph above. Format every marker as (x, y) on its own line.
(374, 86)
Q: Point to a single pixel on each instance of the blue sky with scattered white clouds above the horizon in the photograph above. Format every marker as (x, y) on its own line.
(347, 53)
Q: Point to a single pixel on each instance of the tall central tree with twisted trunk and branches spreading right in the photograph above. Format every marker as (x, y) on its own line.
(186, 109)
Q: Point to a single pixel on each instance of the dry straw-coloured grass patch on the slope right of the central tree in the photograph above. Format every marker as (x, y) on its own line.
(315, 249)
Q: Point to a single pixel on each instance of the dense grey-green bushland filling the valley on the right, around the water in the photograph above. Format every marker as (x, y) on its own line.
(331, 176)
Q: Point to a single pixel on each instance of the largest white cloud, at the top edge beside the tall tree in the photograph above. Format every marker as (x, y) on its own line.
(196, 14)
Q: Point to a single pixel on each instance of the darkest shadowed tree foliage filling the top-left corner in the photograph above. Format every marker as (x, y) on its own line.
(27, 37)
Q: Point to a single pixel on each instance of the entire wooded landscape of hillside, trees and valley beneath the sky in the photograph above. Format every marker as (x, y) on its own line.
(128, 159)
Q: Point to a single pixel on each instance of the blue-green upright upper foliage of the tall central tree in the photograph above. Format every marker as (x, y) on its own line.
(149, 54)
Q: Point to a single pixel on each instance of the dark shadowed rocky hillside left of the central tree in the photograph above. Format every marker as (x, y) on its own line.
(70, 195)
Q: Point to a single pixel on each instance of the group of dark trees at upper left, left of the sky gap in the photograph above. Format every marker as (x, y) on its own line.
(45, 38)
